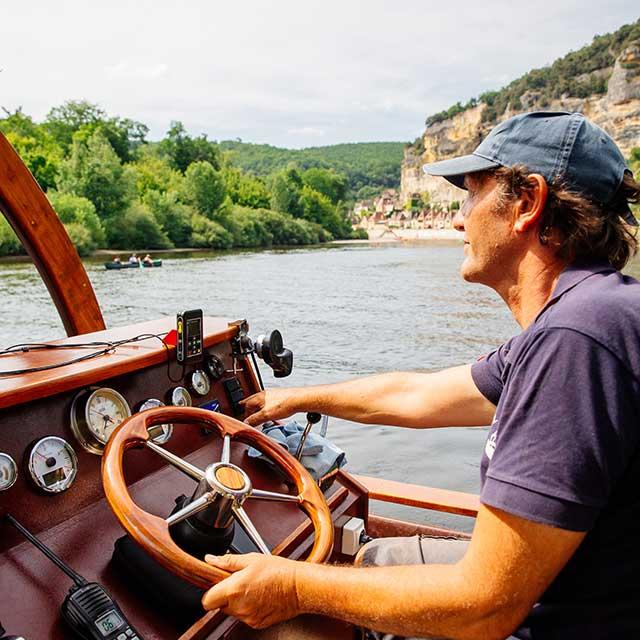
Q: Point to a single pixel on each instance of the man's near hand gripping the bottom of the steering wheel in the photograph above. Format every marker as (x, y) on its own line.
(261, 590)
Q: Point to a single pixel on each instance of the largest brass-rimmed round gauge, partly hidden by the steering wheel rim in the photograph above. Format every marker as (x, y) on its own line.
(94, 416)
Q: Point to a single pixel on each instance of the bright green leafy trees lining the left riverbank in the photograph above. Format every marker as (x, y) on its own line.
(112, 188)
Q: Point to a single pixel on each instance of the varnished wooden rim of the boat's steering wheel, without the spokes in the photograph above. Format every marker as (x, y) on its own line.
(152, 532)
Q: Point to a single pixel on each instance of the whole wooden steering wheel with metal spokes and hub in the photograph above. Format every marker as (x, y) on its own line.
(223, 481)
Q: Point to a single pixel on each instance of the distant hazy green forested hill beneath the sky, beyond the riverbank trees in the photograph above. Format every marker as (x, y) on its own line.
(369, 167)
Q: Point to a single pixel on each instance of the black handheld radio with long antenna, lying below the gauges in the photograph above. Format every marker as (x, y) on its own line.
(88, 609)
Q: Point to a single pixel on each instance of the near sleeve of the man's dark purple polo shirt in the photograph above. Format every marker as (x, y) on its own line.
(565, 431)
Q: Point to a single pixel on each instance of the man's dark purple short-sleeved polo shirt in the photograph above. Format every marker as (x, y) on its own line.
(564, 448)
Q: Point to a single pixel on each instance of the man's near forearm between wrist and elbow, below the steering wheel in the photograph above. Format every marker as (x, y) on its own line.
(429, 601)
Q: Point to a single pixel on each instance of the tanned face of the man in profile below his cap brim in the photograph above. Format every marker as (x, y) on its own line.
(487, 225)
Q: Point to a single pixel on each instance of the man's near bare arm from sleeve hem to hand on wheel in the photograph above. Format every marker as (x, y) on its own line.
(509, 564)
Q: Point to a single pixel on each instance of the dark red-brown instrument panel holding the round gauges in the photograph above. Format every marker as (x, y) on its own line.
(51, 450)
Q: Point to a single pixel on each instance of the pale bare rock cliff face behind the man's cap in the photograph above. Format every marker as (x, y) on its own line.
(617, 112)
